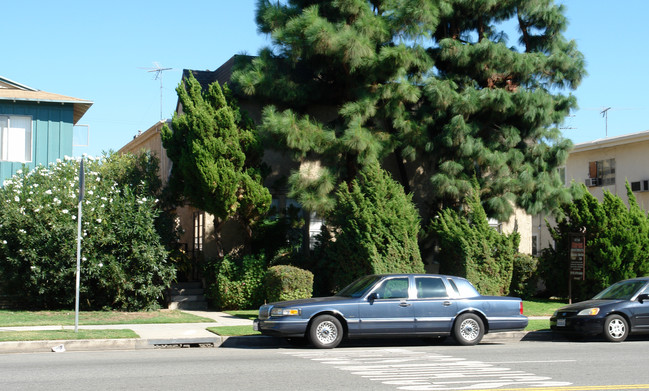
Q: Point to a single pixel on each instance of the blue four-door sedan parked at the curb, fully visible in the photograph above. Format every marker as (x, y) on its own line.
(394, 305)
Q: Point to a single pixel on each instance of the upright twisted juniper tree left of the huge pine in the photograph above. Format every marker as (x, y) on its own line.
(216, 156)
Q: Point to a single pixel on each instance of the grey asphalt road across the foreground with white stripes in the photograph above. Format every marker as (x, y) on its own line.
(409, 365)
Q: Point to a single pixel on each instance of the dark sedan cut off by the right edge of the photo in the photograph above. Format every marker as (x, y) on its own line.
(617, 311)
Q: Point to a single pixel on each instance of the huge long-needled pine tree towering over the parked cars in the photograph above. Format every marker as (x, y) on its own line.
(440, 84)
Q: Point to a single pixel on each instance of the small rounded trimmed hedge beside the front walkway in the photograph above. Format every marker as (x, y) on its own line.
(285, 282)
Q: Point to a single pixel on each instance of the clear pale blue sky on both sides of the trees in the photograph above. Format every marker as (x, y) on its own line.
(99, 50)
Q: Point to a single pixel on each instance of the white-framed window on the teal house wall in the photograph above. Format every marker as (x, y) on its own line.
(16, 138)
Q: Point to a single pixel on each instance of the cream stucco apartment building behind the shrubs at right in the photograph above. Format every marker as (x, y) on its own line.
(603, 165)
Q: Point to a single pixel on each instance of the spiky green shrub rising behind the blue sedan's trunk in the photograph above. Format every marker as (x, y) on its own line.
(470, 248)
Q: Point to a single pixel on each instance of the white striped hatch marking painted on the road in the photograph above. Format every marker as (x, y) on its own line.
(420, 371)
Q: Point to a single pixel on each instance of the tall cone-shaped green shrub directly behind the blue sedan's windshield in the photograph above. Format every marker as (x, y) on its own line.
(373, 229)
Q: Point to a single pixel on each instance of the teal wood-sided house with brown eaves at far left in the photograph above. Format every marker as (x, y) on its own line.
(36, 127)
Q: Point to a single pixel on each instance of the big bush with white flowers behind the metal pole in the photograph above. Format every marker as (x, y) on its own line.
(124, 263)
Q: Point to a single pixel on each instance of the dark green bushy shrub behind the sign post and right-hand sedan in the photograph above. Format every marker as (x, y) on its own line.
(617, 243)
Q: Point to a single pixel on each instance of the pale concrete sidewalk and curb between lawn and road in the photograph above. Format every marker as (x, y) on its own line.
(153, 336)
